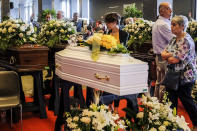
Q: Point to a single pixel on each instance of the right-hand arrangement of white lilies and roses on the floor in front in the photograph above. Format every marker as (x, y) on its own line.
(155, 116)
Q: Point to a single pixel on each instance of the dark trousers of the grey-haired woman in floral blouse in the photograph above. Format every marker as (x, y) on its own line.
(184, 94)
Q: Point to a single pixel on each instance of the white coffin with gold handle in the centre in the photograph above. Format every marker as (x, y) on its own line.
(118, 74)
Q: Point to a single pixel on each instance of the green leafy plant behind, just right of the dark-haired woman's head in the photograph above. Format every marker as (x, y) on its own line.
(132, 11)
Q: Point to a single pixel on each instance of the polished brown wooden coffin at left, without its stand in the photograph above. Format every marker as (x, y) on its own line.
(33, 57)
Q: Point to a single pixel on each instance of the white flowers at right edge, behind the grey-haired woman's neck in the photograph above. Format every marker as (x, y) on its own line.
(192, 30)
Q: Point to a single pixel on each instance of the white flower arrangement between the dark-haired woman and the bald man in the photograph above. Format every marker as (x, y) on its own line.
(140, 31)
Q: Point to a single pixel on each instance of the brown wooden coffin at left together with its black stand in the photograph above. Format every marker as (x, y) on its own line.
(28, 60)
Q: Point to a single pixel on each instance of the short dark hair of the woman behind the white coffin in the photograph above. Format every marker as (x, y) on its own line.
(112, 17)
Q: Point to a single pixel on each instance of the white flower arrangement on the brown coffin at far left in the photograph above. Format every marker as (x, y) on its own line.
(15, 33)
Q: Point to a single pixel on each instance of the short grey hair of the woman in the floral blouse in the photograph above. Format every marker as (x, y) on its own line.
(181, 20)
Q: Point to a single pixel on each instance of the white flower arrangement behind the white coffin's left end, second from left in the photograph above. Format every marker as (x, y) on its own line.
(55, 32)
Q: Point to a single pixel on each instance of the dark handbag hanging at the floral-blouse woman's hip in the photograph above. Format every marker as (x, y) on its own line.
(172, 79)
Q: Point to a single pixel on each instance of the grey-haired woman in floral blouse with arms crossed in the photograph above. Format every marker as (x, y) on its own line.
(180, 55)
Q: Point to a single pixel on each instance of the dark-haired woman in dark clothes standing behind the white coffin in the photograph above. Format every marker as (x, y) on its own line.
(112, 21)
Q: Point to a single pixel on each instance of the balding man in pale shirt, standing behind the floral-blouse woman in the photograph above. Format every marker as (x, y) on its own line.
(161, 36)
